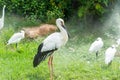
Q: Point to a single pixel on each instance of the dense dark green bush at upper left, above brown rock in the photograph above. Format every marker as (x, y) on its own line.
(45, 10)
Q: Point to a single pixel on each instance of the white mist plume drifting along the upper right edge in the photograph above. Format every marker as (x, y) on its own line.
(112, 24)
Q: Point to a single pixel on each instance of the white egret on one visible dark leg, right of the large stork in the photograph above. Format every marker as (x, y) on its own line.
(96, 46)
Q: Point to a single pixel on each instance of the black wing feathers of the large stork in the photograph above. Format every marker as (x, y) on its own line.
(41, 56)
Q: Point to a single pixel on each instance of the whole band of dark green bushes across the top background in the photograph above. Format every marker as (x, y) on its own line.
(45, 10)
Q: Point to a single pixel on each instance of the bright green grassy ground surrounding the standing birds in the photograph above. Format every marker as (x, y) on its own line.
(71, 62)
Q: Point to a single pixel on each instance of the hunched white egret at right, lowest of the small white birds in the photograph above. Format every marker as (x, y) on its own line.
(109, 54)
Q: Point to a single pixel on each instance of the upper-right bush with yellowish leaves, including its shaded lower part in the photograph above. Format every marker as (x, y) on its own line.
(94, 11)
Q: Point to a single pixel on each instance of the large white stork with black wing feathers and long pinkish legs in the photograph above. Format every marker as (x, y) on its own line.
(51, 44)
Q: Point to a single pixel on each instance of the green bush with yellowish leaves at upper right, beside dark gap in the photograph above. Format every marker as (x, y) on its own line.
(95, 8)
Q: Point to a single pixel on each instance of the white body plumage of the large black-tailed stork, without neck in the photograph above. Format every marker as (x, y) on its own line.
(55, 40)
